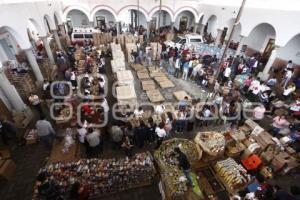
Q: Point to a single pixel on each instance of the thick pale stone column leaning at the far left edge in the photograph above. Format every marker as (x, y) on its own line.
(11, 93)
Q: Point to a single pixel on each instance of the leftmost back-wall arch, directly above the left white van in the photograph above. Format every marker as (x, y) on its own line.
(77, 18)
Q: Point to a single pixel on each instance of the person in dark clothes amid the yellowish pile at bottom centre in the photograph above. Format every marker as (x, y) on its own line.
(184, 164)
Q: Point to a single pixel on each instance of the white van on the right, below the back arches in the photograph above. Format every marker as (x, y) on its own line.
(187, 40)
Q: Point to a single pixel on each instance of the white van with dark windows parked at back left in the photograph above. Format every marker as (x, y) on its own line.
(79, 35)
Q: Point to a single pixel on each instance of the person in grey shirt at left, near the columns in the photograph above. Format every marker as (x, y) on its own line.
(45, 131)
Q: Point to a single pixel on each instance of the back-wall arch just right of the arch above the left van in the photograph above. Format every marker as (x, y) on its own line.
(104, 19)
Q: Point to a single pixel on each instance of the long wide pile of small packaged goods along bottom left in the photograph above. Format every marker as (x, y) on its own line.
(103, 176)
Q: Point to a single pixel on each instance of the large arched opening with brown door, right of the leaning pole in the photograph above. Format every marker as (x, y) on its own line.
(261, 40)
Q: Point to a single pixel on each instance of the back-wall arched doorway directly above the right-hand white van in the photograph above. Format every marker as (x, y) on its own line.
(184, 21)
